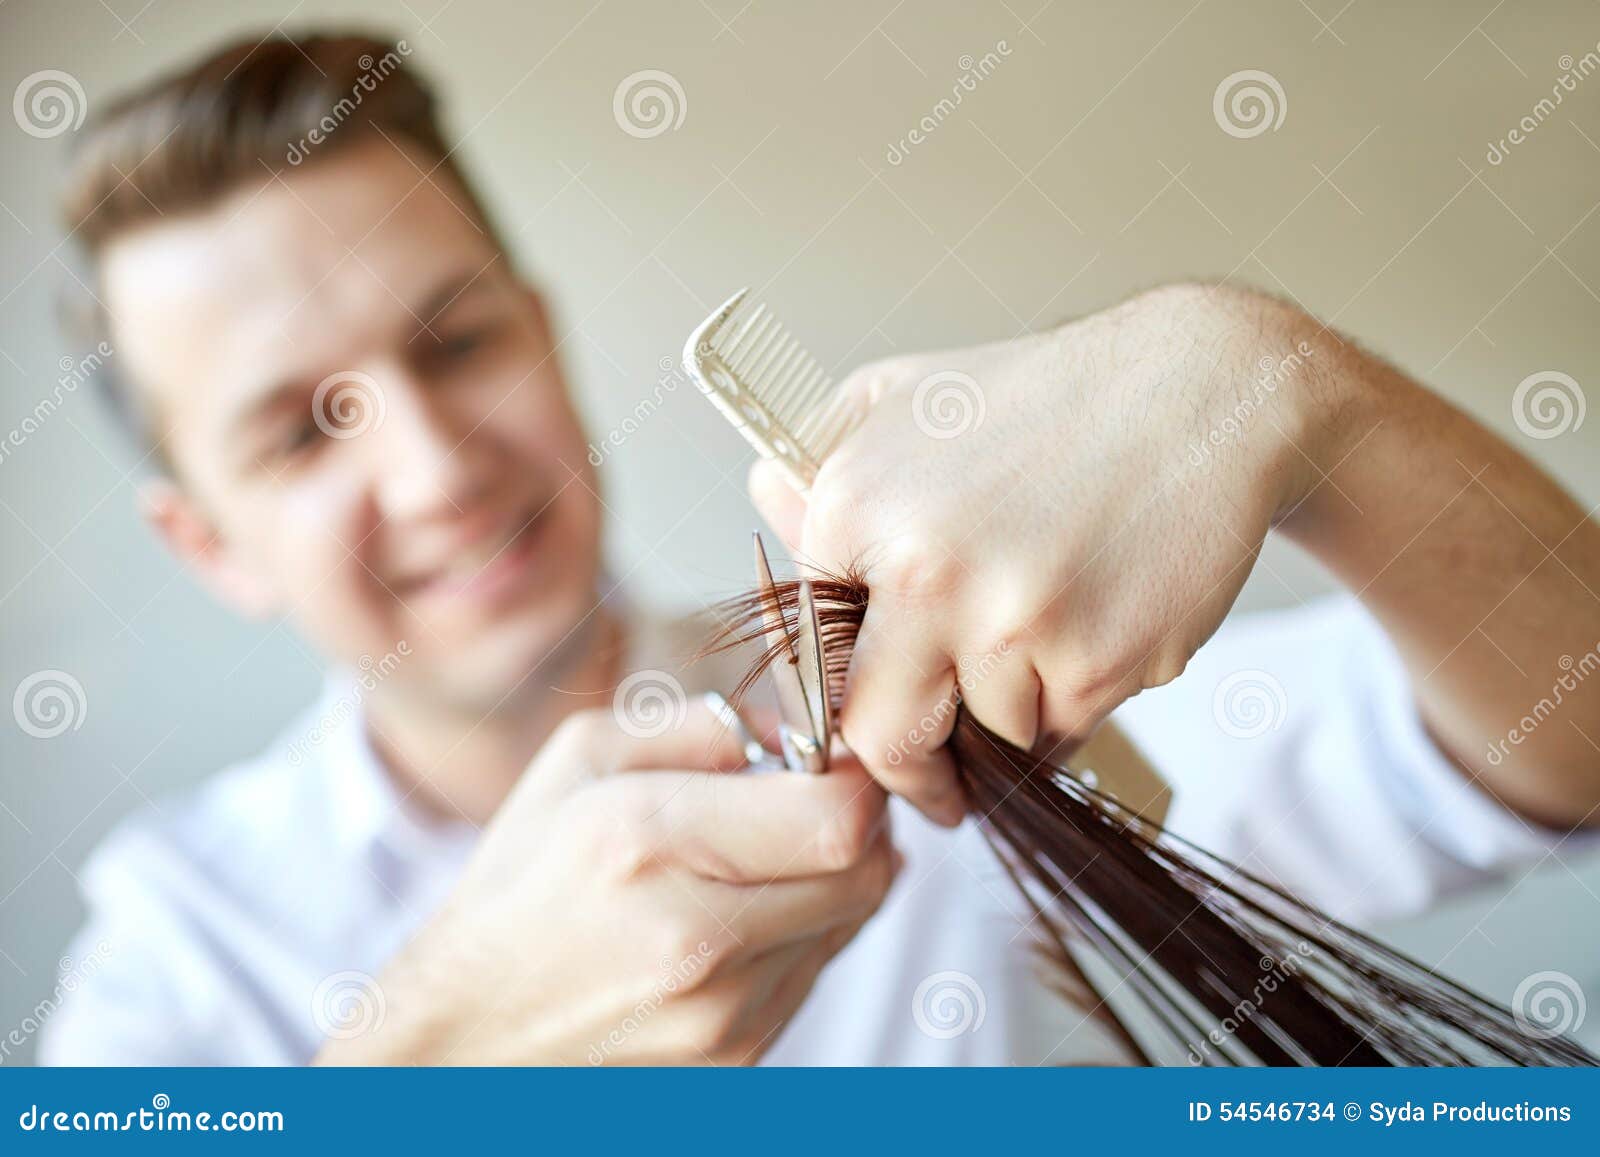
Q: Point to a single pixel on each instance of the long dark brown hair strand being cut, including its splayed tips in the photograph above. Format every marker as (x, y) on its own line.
(1188, 934)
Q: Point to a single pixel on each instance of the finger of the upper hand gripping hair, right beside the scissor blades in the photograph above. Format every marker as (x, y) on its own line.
(900, 708)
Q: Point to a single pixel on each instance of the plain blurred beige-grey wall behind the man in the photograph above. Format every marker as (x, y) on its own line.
(1087, 166)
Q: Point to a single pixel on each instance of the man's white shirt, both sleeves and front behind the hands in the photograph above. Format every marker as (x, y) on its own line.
(241, 924)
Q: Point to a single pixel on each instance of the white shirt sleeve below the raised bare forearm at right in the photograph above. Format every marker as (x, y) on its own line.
(1295, 750)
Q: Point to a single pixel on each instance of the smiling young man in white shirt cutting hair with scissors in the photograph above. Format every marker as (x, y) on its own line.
(364, 428)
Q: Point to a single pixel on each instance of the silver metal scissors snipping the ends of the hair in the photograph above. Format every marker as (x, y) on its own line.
(799, 678)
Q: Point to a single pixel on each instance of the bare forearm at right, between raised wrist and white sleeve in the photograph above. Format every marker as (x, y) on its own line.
(1482, 570)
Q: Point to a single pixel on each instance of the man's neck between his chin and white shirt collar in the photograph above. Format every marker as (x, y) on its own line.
(460, 763)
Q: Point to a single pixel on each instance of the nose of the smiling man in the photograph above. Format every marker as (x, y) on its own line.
(428, 462)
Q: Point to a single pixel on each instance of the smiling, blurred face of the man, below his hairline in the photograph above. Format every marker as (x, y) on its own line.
(367, 422)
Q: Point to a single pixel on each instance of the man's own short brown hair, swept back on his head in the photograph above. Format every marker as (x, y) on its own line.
(234, 119)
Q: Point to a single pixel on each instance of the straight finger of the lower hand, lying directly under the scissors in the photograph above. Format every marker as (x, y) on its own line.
(759, 828)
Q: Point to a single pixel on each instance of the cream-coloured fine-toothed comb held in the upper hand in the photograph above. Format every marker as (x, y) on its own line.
(769, 386)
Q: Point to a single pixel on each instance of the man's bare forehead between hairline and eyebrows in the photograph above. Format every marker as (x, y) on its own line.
(302, 271)
